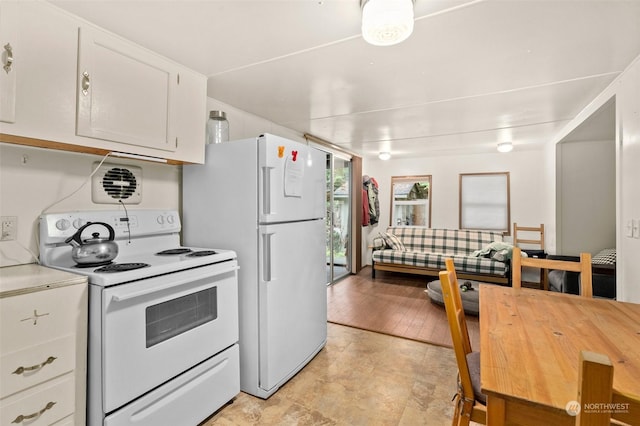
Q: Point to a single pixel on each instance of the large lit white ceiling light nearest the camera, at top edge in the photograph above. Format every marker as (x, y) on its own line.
(386, 22)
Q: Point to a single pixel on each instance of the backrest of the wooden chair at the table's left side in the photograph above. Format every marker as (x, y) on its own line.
(458, 328)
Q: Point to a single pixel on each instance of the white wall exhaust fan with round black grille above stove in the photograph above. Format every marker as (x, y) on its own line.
(113, 183)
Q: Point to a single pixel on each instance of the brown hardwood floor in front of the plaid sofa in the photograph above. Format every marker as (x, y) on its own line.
(395, 304)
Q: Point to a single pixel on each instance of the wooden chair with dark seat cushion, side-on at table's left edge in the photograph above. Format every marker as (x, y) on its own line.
(467, 401)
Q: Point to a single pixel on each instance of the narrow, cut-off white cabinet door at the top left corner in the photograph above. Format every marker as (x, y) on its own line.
(9, 64)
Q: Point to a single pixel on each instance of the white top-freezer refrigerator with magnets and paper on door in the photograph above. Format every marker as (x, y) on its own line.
(265, 199)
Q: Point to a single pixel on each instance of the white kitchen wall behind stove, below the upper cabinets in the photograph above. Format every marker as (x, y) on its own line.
(31, 179)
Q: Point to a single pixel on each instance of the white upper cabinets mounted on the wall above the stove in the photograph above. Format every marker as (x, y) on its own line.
(96, 92)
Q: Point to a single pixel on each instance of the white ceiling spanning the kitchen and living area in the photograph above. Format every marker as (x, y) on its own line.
(472, 74)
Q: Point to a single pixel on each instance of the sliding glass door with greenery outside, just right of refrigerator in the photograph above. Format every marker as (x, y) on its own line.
(338, 219)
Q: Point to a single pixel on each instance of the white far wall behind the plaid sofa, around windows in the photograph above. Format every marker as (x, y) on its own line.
(529, 187)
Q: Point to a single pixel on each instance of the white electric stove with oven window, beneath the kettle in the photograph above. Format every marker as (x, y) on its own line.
(163, 318)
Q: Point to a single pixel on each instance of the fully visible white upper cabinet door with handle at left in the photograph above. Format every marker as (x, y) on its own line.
(125, 93)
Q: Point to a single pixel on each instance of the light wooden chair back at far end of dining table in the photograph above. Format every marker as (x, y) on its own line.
(584, 267)
